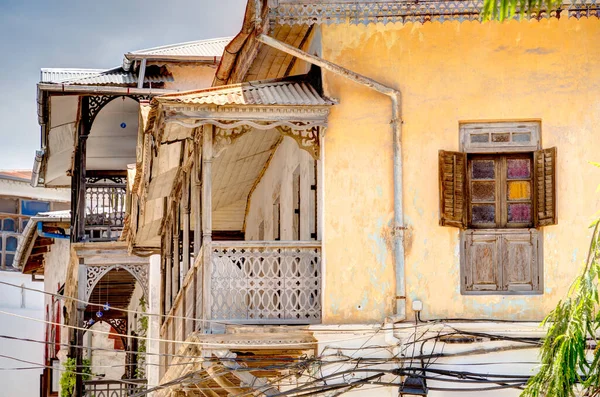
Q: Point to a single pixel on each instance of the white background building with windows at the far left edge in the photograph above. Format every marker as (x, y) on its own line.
(18, 203)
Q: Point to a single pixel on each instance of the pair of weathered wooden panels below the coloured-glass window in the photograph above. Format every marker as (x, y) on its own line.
(501, 261)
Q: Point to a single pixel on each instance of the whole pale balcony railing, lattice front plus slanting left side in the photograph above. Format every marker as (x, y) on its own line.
(248, 282)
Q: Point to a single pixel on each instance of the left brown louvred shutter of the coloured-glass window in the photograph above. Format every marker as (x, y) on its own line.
(453, 181)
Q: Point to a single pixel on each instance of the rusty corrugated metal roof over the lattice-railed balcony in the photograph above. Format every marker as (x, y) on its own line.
(290, 92)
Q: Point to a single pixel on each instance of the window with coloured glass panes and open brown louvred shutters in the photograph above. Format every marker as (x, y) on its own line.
(458, 203)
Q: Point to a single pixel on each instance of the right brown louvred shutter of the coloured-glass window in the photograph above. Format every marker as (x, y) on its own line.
(545, 187)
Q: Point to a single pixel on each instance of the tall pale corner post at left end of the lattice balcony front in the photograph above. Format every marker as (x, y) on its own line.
(207, 156)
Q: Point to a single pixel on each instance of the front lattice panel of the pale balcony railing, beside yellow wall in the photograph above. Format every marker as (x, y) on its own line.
(266, 284)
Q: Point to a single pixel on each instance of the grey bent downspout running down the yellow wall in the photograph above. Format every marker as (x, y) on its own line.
(396, 122)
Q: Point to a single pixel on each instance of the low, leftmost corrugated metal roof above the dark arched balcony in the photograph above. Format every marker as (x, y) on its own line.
(116, 76)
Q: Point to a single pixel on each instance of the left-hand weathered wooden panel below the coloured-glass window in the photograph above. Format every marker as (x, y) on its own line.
(482, 254)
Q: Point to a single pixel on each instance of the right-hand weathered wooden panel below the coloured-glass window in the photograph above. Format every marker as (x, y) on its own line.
(520, 268)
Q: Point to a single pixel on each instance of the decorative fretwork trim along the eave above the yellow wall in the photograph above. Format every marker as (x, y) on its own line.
(408, 11)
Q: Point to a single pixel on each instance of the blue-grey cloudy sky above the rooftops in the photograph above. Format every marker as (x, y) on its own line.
(37, 34)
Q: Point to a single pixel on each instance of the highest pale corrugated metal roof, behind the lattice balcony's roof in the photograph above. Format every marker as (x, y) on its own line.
(199, 48)
